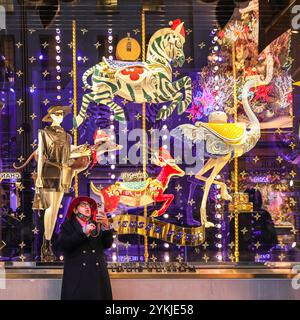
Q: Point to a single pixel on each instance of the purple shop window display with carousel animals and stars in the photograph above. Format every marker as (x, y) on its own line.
(185, 133)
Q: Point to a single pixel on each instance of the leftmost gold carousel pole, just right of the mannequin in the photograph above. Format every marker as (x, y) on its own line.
(75, 132)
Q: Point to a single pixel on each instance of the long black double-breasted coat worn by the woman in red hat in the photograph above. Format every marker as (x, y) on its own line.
(85, 269)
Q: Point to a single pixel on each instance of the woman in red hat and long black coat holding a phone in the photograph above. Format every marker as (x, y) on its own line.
(83, 241)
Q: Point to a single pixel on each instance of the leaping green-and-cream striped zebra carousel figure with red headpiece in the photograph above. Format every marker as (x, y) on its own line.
(139, 82)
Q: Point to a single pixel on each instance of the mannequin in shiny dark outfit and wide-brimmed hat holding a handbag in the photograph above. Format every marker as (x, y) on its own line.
(54, 175)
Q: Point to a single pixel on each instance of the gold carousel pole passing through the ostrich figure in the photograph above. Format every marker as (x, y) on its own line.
(236, 163)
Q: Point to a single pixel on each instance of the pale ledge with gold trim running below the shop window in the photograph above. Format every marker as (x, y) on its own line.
(272, 281)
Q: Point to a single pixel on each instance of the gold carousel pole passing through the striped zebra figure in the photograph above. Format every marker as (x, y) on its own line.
(146, 253)
